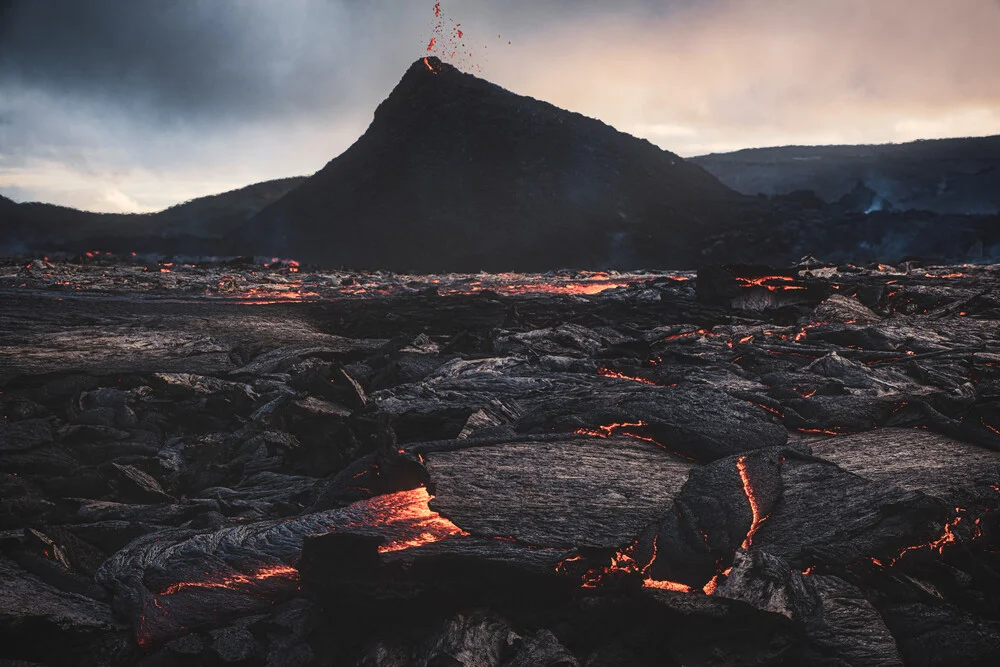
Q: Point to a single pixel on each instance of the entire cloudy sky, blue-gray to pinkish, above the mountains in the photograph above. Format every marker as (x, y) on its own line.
(135, 105)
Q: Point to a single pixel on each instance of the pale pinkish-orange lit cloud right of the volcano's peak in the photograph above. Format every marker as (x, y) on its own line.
(760, 72)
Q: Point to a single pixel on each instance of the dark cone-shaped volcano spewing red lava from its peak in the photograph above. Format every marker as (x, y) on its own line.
(457, 173)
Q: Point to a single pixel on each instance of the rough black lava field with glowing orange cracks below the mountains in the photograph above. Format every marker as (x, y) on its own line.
(232, 463)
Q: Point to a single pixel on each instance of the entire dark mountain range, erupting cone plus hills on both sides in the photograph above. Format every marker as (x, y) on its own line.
(458, 174)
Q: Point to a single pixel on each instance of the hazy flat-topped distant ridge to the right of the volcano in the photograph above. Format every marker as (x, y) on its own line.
(950, 176)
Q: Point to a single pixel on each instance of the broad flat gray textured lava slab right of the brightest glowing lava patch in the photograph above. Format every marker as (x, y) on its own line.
(574, 491)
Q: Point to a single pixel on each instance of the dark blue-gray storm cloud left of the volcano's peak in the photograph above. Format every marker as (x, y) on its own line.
(186, 59)
